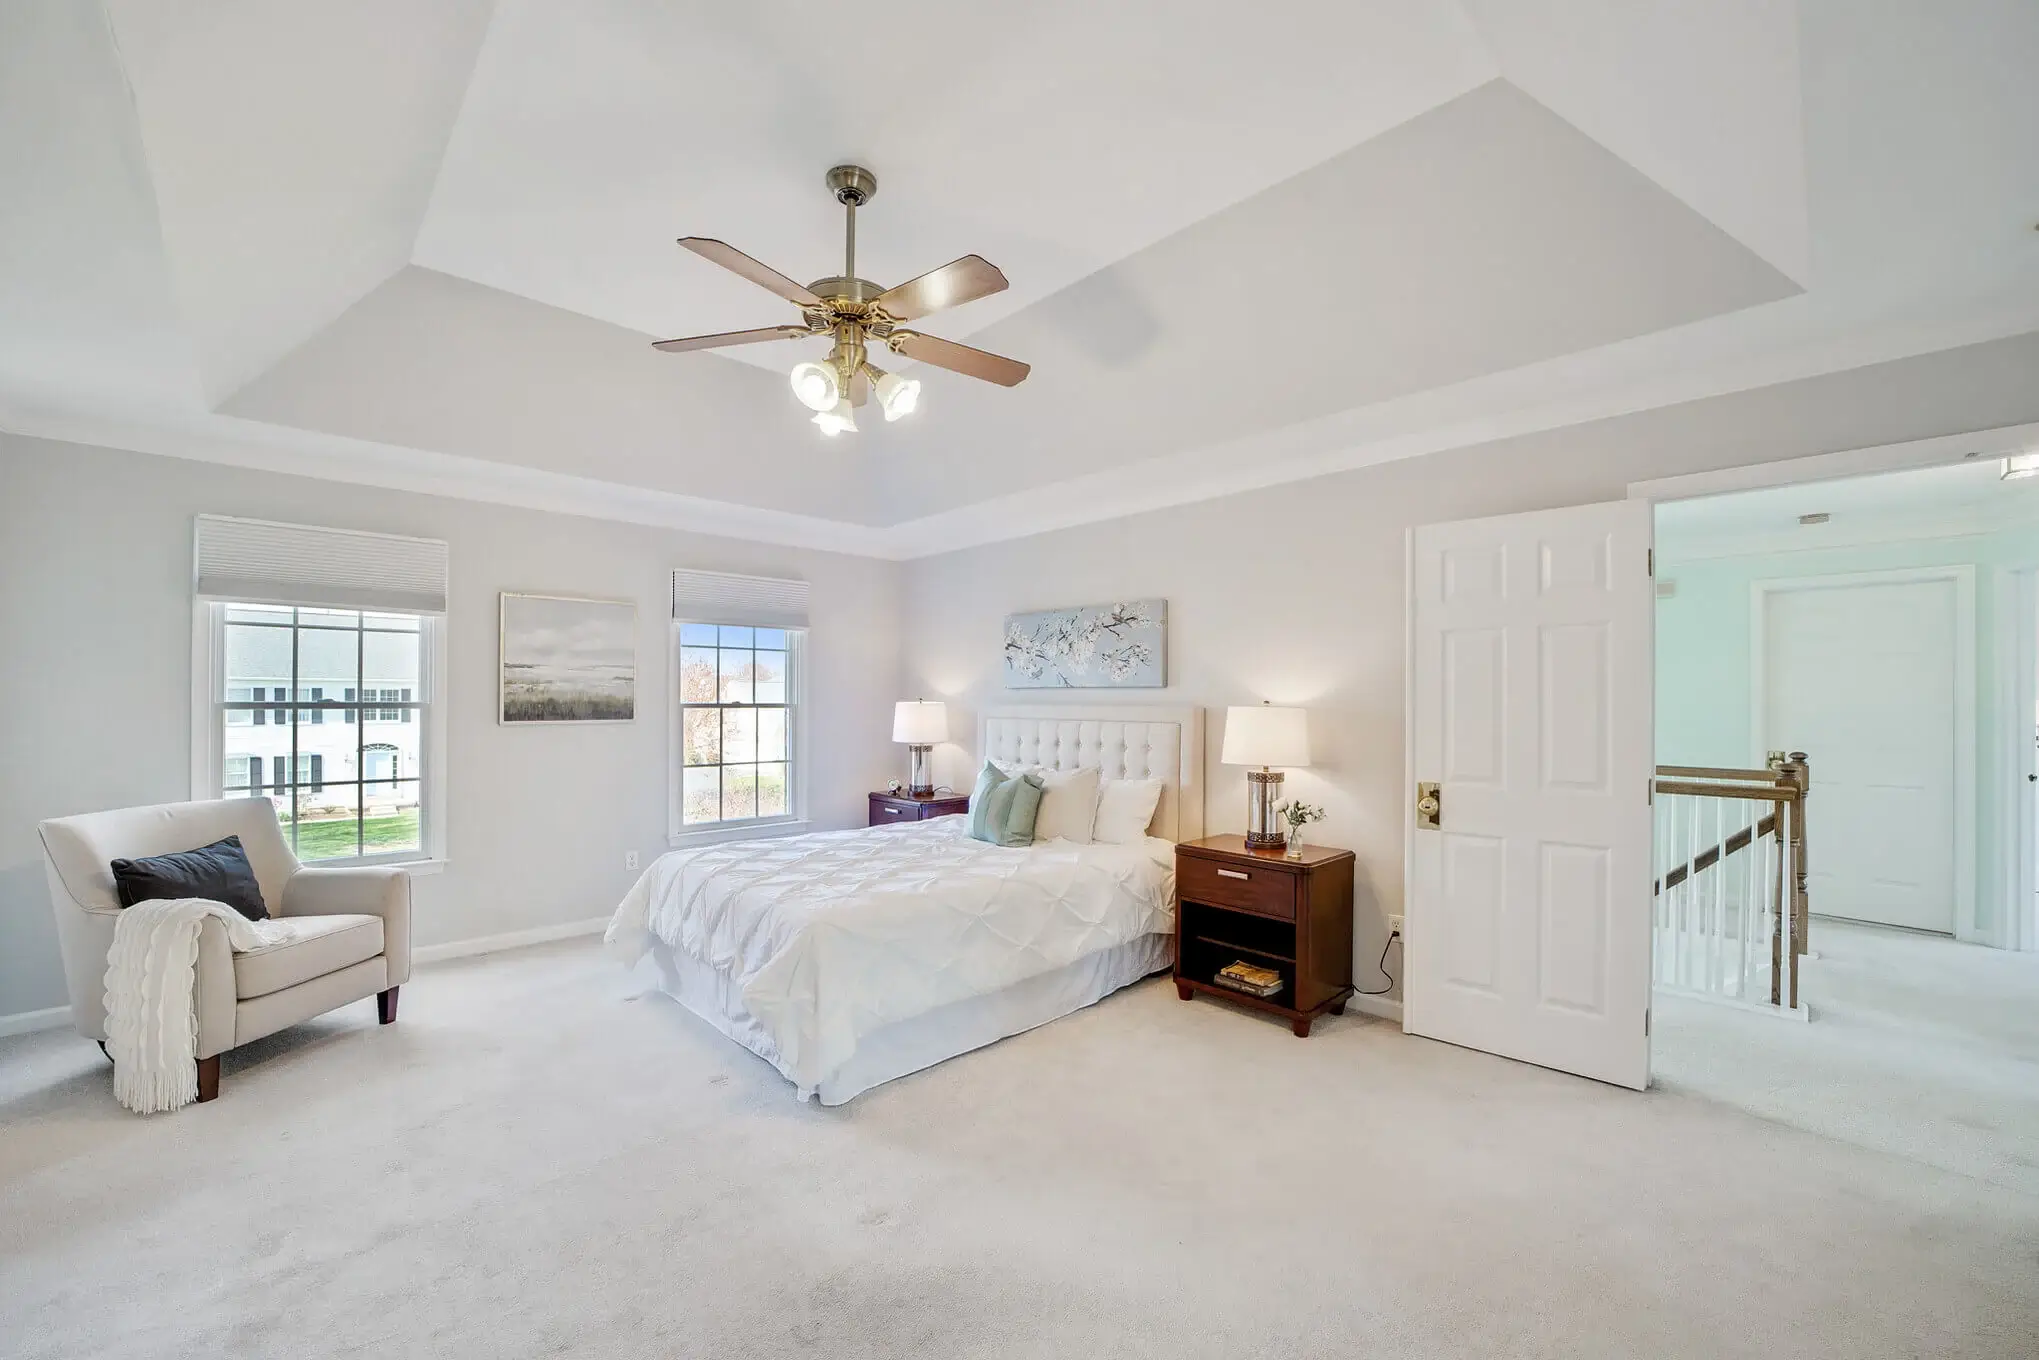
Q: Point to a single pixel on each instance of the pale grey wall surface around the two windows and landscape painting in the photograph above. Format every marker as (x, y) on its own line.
(95, 682)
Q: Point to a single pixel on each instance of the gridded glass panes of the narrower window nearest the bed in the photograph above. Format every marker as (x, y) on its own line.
(739, 694)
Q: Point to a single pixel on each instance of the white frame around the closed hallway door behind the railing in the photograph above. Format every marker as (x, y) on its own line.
(1965, 704)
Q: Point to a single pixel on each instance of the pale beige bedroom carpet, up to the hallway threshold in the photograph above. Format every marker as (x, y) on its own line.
(533, 1165)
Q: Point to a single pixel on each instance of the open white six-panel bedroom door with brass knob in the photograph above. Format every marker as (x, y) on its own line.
(1530, 702)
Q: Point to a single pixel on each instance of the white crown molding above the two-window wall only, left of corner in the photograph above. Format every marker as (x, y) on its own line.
(333, 458)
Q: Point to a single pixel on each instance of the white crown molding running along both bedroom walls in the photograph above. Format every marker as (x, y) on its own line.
(1404, 429)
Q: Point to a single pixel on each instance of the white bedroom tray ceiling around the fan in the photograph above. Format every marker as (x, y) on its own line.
(1279, 238)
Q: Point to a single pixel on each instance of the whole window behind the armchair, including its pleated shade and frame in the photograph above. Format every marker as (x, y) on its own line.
(280, 664)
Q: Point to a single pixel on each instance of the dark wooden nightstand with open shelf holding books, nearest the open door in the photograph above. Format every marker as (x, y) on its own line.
(1263, 908)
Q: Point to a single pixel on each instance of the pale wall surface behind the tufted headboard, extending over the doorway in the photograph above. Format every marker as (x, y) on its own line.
(1296, 594)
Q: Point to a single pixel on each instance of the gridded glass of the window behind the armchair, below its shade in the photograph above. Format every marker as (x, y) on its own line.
(293, 737)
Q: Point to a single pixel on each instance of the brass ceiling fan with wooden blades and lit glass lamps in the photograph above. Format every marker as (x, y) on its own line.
(857, 311)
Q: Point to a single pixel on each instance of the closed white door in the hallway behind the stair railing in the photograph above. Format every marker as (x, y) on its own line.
(1867, 678)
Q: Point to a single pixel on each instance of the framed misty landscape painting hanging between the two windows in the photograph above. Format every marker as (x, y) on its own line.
(568, 660)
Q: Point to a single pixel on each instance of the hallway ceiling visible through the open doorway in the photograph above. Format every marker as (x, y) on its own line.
(1930, 503)
